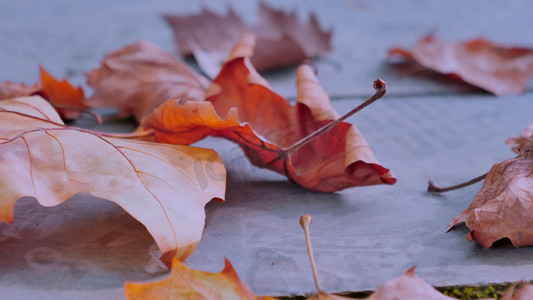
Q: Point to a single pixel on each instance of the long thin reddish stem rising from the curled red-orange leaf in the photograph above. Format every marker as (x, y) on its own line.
(381, 89)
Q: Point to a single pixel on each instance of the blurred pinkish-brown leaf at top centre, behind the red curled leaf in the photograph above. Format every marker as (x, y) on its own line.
(282, 40)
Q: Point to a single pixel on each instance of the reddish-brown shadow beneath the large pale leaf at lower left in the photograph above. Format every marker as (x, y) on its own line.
(84, 243)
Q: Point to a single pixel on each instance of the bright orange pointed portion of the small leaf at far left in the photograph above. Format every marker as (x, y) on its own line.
(62, 95)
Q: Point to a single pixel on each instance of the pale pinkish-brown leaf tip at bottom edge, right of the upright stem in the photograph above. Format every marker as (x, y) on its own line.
(407, 286)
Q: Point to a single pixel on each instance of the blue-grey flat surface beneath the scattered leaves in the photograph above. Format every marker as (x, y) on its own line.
(424, 129)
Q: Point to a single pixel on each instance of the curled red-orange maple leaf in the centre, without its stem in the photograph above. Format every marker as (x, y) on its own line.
(241, 107)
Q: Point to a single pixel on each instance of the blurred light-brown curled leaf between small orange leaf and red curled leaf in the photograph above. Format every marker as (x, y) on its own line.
(139, 77)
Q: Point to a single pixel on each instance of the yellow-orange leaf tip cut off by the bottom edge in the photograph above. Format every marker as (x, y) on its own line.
(185, 283)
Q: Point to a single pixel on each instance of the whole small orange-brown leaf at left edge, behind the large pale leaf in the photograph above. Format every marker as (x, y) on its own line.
(68, 100)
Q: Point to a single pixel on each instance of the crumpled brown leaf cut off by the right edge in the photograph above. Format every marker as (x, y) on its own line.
(501, 209)
